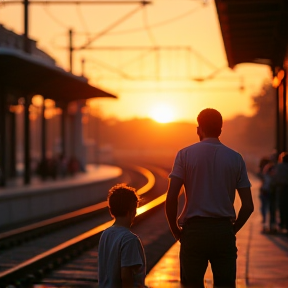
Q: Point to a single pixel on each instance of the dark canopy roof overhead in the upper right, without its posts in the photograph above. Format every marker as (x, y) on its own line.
(254, 31)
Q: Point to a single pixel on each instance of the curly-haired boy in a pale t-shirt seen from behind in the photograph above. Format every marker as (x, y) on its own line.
(121, 258)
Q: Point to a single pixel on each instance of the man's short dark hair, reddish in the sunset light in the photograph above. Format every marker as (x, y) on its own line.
(210, 121)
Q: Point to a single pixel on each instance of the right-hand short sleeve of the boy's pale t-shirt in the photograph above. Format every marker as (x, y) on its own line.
(131, 253)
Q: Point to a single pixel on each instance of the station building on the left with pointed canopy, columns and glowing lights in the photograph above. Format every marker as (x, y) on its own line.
(41, 109)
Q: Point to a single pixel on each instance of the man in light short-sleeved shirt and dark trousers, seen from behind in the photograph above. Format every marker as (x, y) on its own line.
(206, 228)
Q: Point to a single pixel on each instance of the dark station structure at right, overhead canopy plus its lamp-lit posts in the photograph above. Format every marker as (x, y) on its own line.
(256, 31)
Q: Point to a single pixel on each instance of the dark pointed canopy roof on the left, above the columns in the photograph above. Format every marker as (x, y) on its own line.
(22, 72)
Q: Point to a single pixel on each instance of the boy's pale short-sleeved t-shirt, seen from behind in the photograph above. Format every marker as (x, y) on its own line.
(119, 247)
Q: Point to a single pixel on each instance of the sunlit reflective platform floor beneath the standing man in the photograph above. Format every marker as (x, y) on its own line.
(262, 258)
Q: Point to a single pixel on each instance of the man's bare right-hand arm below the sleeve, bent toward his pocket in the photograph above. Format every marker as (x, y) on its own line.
(246, 209)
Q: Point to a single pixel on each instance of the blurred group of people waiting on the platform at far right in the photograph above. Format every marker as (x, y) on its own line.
(273, 193)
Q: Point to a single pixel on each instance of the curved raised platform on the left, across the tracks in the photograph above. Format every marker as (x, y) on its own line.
(24, 204)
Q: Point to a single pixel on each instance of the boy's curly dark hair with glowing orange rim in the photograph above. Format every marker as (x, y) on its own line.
(122, 199)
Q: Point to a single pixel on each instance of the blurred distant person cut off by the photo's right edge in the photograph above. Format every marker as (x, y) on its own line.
(281, 182)
